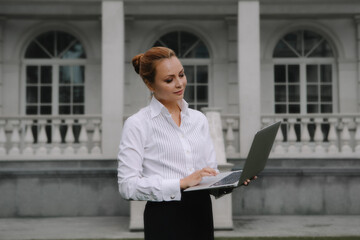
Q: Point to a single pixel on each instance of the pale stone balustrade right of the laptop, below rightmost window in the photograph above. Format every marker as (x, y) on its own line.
(316, 135)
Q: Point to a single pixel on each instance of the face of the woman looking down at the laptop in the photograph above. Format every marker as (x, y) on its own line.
(170, 81)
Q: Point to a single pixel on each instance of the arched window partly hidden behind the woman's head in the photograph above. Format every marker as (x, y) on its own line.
(194, 56)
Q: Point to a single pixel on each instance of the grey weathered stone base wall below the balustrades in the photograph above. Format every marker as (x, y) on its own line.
(89, 188)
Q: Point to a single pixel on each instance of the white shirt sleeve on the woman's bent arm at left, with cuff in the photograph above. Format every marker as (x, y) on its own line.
(132, 184)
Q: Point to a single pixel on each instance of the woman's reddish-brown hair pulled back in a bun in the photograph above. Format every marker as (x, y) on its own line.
(145, 63)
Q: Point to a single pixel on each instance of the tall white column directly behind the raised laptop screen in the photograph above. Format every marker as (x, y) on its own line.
(248, 71)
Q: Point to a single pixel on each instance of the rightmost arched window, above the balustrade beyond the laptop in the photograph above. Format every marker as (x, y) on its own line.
(303, 74)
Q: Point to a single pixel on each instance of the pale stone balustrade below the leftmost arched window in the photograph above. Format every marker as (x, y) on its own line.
(50, 137)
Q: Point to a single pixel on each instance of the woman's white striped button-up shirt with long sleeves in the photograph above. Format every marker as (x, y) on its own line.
(154, 153)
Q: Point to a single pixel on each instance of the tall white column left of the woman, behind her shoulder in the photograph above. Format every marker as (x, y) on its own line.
(112, 75)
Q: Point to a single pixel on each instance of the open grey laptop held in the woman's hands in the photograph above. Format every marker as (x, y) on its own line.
(254, 164)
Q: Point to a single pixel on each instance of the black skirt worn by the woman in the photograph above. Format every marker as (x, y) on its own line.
(190, 218)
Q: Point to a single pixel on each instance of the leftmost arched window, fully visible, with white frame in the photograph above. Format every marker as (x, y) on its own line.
(55, 75)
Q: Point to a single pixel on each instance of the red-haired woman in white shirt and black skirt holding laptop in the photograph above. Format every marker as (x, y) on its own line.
(166, 148)
